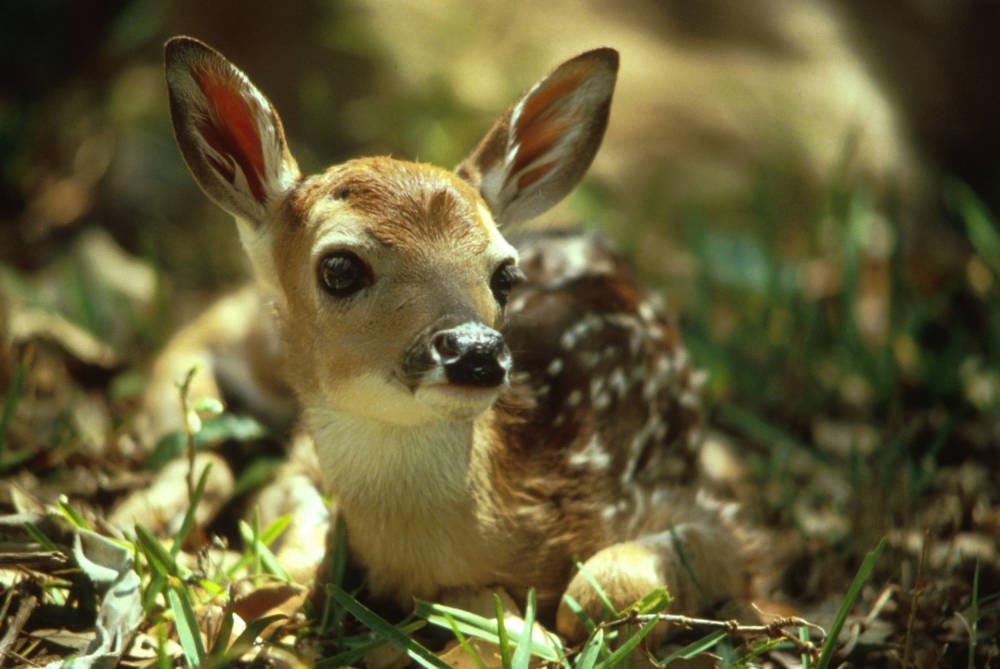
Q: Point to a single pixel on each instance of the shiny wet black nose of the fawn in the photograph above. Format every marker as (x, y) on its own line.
(472, 355)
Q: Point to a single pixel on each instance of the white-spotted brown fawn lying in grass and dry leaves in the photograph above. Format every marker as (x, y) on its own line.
(484, 413)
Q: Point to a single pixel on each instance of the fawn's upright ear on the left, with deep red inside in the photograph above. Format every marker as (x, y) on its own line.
(229, 133)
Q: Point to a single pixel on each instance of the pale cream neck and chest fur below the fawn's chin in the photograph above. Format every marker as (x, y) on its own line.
(421, 512)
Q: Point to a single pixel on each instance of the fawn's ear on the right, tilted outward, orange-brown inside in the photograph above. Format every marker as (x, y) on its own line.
(541, 147)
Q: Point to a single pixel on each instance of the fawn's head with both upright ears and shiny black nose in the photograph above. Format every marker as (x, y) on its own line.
(389, 277)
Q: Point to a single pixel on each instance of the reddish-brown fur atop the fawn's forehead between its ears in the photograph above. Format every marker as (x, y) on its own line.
(404, 203)
